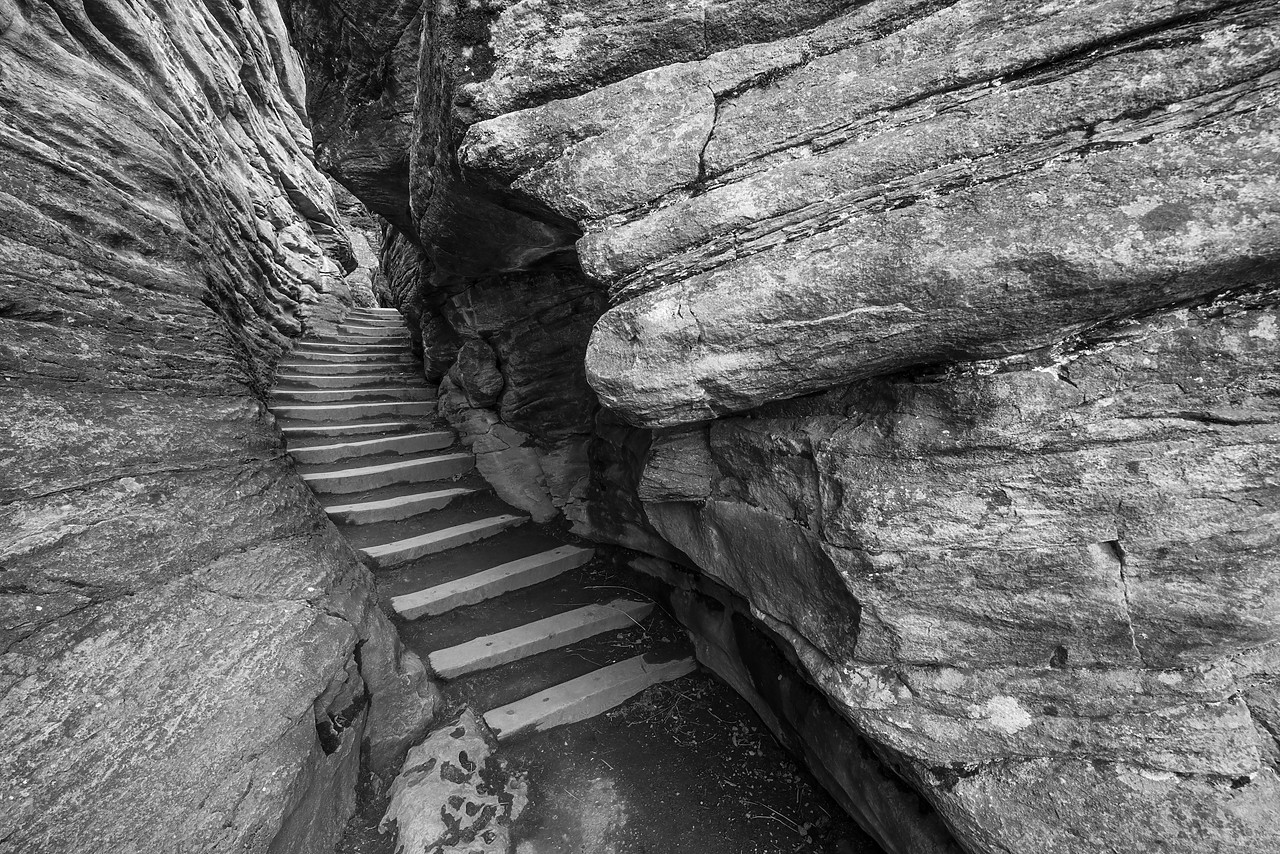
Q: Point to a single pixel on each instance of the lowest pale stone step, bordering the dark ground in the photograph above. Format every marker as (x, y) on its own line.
(584, 697)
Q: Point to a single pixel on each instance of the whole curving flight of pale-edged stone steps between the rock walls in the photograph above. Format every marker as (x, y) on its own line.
(522, 624)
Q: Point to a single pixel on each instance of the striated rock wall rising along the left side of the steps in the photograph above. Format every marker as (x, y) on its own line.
(191, 659)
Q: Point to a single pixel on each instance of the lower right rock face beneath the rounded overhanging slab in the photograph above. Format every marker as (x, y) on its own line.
(1054, 576)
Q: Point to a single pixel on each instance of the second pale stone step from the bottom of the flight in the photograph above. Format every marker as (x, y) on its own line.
(540, 637)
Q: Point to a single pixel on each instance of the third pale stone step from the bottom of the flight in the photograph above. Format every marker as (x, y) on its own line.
(491, 583)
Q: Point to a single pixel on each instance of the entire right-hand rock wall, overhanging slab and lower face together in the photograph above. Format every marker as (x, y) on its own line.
(941, 334)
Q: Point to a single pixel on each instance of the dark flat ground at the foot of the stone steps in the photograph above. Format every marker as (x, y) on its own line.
(684, 769)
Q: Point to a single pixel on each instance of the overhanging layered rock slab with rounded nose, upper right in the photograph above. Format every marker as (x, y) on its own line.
(790, 230)
